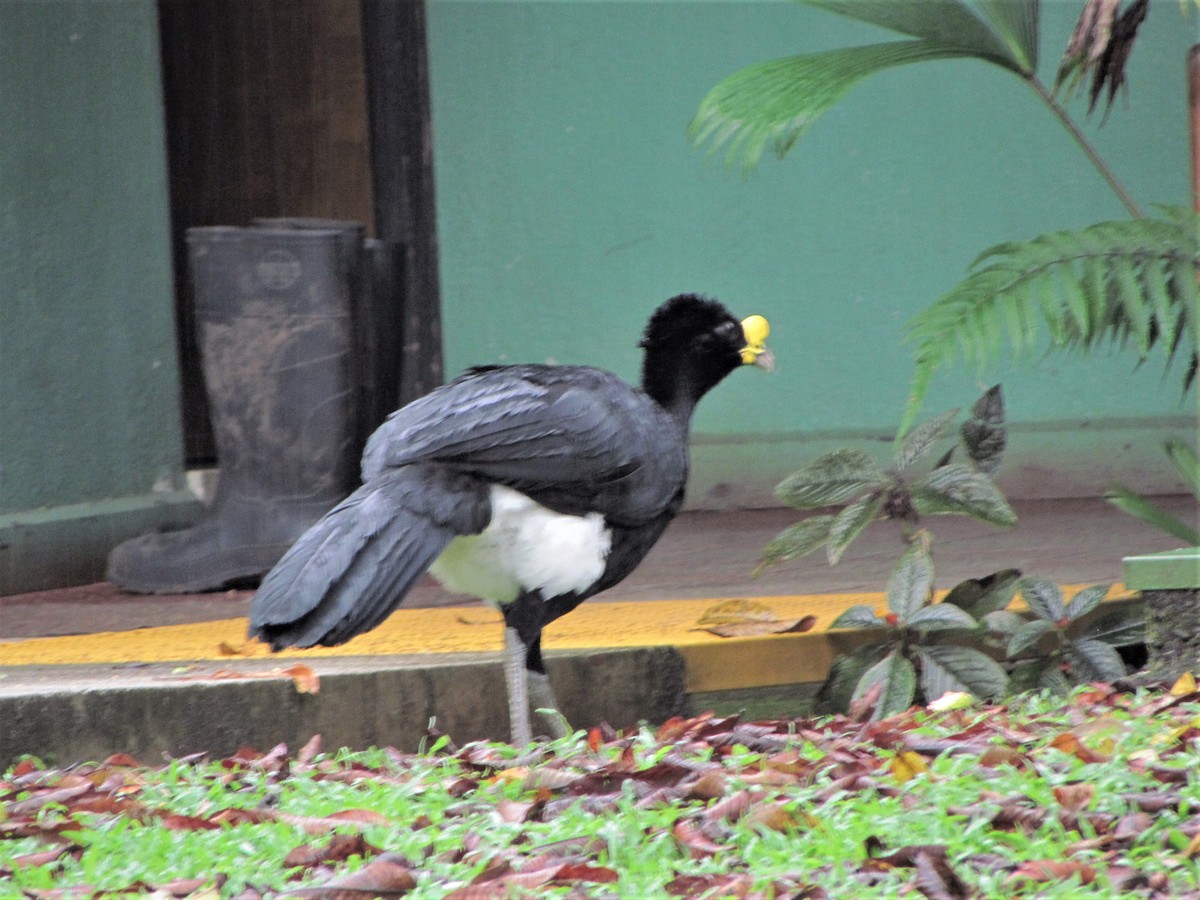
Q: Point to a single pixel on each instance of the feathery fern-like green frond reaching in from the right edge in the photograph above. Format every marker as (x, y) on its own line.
(1132, 284)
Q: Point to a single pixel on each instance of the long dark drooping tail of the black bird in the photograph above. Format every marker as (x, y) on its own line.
(351, 569)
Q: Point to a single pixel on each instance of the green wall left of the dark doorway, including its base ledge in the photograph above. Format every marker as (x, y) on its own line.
(89, 419)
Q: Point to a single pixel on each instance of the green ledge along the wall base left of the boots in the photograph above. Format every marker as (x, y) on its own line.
(69, 545)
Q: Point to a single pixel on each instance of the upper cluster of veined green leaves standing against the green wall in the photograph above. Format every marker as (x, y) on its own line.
(871, 491)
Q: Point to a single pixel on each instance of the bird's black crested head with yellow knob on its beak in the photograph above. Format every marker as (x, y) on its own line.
(692, 344)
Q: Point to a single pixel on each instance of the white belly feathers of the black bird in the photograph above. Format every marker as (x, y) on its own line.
(525, 548)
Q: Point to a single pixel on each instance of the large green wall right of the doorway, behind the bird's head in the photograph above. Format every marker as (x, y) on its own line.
(571, 203)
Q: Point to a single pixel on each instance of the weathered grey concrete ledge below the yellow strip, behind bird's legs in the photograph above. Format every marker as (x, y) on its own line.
(71, 713)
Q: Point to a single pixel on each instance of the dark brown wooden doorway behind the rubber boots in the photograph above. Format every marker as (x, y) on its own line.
(281, 109)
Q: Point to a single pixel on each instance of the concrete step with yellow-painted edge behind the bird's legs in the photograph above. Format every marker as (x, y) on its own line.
(202, 687)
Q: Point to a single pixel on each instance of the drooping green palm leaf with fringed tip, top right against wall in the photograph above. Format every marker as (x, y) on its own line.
(773, 104)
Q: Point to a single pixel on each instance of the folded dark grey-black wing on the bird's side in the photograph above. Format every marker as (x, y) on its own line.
(574, 439)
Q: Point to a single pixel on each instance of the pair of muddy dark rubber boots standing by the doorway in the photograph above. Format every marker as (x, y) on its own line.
(297, 331)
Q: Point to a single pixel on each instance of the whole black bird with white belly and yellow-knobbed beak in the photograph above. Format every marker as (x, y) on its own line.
(530, 487)
